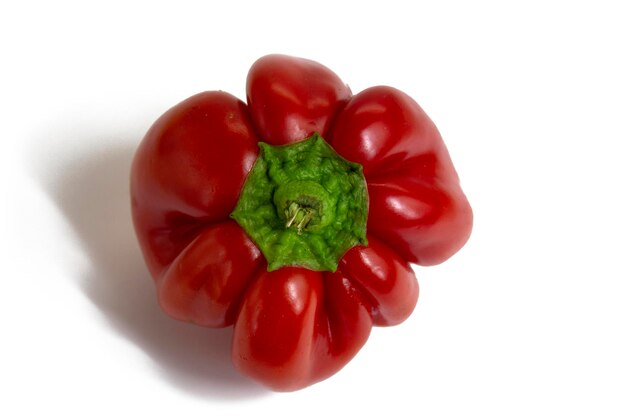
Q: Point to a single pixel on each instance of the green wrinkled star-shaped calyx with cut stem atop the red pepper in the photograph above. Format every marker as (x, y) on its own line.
(303, 205)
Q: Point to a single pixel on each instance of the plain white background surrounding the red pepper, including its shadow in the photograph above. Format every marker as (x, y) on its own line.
(528, 319)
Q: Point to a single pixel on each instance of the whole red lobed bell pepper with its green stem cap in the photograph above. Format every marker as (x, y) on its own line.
(295, 216)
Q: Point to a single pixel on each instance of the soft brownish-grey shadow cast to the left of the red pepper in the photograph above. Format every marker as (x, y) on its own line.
(92, 192)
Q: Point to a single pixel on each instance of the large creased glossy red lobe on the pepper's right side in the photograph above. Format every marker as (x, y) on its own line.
(416, 203)
